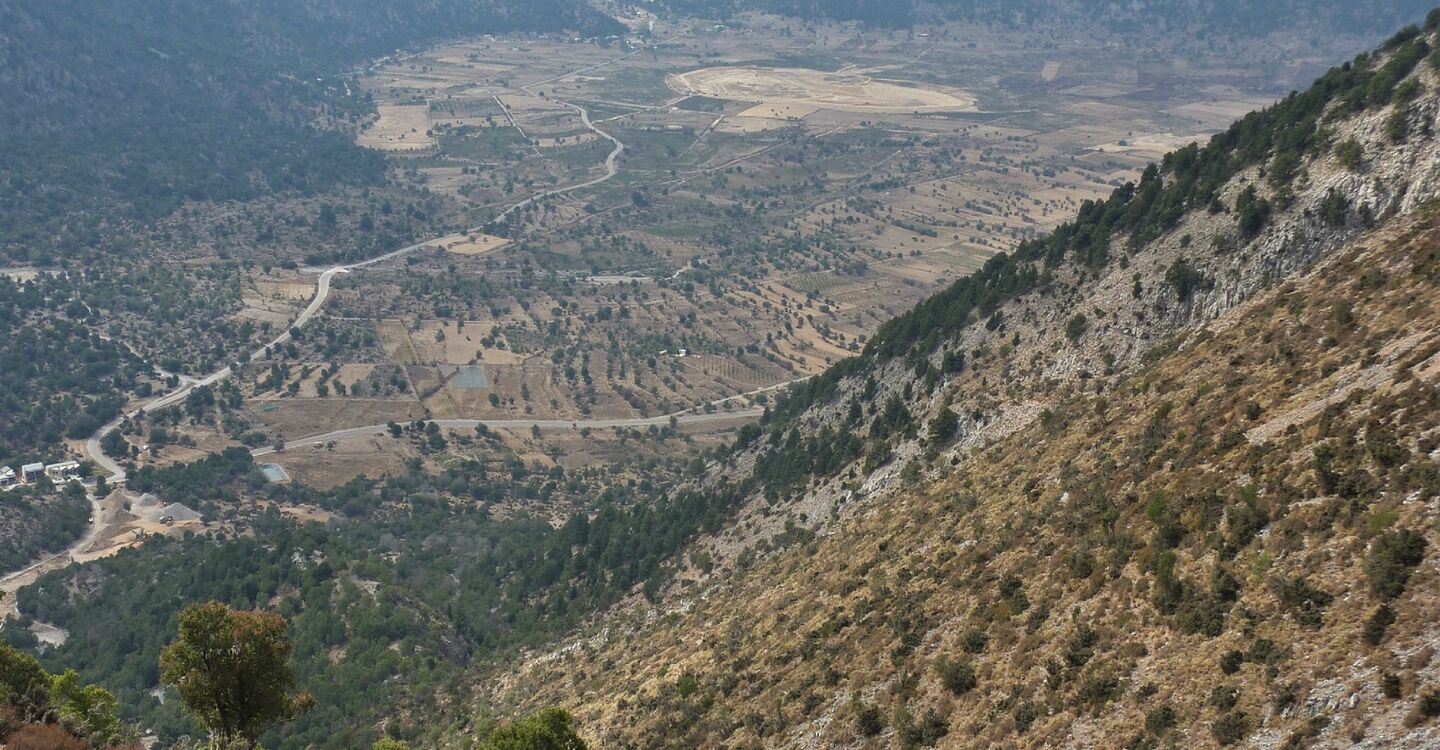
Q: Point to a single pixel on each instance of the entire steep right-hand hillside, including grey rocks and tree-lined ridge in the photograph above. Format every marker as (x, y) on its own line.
(1167, 479)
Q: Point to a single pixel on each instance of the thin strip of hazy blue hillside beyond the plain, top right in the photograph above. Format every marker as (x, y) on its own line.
(1144, 15)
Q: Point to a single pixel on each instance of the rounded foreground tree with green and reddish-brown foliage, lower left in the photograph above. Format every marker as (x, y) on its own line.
(233, 672)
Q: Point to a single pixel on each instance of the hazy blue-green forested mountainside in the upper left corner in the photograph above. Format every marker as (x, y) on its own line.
(153, 101)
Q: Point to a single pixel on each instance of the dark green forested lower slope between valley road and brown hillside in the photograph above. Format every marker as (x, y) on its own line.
(427, 584)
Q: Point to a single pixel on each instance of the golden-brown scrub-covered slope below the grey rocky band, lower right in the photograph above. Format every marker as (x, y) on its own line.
(1233, 541)
